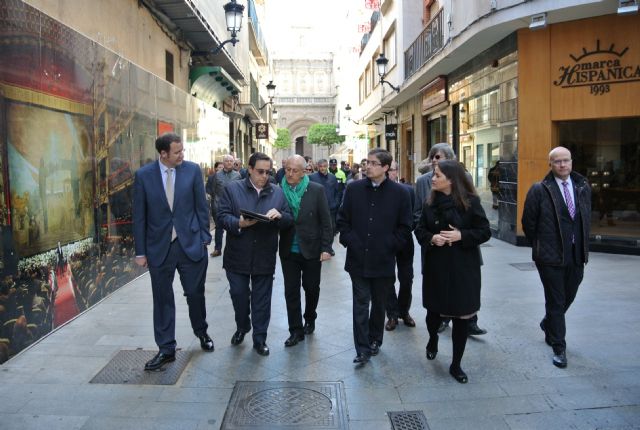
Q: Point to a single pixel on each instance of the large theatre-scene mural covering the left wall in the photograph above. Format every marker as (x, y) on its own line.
(76, 122)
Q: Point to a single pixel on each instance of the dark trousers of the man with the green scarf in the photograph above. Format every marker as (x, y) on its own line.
(298, 271)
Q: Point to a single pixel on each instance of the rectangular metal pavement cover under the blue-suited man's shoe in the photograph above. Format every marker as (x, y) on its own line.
(127, 367)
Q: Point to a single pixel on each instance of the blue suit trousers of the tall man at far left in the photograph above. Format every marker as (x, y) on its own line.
(192, 276)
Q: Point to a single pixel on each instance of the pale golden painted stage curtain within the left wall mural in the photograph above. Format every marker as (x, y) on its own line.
(50, 172)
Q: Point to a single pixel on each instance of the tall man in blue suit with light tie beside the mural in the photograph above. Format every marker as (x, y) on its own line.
(171, 231)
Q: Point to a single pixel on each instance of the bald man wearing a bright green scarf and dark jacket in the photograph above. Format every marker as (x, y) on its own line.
(304, 246)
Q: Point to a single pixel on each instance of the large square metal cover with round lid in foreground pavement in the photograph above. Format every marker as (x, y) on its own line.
(286, 405)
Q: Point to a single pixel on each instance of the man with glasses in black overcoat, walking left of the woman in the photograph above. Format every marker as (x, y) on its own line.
(374, 222)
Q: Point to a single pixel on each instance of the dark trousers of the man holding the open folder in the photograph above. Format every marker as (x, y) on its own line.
(252, 304)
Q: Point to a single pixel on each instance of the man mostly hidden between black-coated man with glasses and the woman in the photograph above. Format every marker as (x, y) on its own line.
(398, 304)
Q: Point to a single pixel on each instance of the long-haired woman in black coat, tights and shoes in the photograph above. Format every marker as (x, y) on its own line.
(451, 228)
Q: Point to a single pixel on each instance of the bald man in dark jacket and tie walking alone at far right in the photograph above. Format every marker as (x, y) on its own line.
(556, 221)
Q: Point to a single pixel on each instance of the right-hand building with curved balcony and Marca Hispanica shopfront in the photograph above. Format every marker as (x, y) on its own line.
(503, 82)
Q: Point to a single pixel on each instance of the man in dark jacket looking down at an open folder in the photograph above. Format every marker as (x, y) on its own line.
(250, 252)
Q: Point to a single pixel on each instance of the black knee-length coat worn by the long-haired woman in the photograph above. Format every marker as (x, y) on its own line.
(451, 284)
